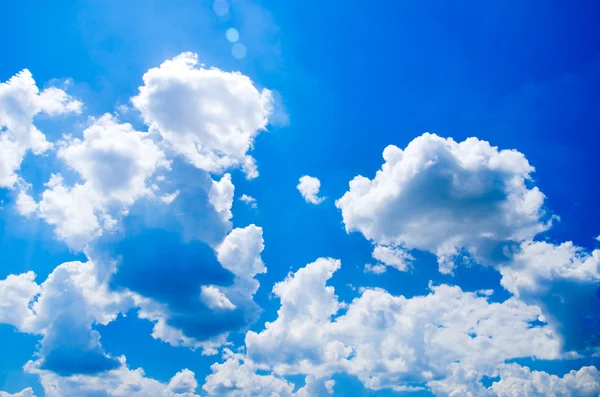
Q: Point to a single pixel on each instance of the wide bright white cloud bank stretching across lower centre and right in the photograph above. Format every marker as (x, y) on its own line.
(392, 342)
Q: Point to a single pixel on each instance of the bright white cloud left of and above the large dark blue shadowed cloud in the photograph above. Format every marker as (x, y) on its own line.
(115, 163)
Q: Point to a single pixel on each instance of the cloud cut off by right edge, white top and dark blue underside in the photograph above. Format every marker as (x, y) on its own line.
(564, 281)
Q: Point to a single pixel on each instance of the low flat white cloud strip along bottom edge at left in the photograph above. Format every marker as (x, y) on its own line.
(118, 382)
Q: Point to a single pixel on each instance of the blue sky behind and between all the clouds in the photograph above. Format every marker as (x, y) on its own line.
(350, 79)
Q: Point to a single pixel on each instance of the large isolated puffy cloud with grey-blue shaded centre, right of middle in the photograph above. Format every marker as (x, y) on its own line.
(446, 197)
